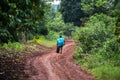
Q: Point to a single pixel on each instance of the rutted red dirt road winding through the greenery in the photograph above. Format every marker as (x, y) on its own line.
(56, 66)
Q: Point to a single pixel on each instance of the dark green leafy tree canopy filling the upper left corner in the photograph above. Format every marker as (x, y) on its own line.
(16, 17)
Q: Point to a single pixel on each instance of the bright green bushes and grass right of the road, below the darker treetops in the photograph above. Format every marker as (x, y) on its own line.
(98, 48)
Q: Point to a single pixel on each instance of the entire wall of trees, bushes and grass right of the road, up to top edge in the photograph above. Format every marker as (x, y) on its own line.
(98, 39)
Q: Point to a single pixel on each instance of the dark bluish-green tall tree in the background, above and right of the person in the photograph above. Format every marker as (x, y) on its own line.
(71, 11)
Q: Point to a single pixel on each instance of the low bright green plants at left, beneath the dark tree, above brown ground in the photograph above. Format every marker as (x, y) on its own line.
(13, 46)
